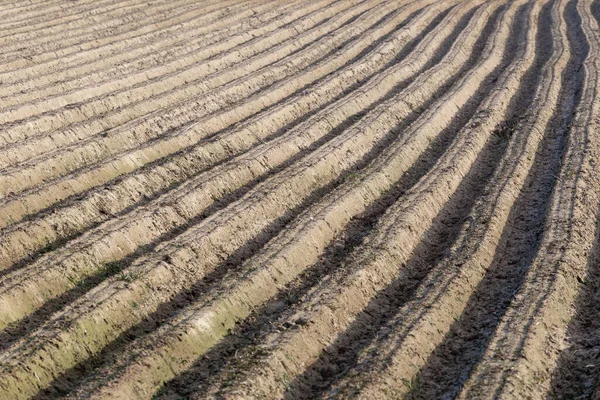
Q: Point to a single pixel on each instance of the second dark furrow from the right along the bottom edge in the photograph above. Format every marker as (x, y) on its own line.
(464, 344)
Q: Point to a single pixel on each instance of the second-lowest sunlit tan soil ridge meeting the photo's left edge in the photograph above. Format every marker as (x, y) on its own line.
(237, 172)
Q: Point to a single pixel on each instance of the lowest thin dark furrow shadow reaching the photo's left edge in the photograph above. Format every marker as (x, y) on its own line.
(28, 324)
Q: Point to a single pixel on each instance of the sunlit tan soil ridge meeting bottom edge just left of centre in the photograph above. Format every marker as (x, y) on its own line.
(330, 306)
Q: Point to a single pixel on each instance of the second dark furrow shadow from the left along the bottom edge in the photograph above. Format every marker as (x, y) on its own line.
(241, 348)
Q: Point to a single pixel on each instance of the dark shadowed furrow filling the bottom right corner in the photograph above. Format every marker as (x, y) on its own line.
(577, 374)
